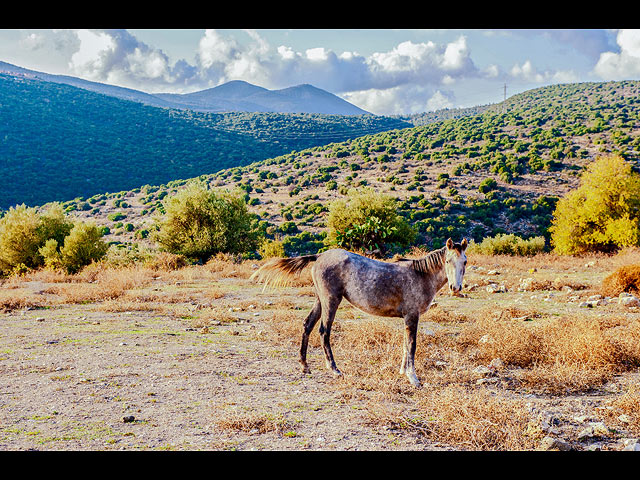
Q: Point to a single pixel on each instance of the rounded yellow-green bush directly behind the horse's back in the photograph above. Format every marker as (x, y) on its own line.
(367, 220)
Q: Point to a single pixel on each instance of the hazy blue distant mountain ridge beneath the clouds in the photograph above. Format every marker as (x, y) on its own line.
(234, 96)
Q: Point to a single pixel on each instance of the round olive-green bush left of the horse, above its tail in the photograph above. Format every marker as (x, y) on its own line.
(200, 223)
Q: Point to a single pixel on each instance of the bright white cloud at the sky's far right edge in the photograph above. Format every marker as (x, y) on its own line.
(626, 63)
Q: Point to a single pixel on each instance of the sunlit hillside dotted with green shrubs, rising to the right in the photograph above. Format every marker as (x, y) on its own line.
(499, 171)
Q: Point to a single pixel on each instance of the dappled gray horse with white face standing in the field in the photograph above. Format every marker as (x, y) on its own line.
(404, 288)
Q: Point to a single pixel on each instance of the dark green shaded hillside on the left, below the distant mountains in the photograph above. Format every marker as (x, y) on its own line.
(59, 142)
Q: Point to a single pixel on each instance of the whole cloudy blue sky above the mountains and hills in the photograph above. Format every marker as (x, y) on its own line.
(383, 71)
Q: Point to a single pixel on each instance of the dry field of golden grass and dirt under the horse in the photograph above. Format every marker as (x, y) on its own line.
(202, 358)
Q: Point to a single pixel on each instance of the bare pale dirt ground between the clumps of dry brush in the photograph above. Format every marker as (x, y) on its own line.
(79, 376)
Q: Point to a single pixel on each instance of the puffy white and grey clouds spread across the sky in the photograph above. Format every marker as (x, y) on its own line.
(411, 77)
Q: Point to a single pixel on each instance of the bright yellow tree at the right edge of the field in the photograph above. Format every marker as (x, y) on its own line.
(603, 213)
